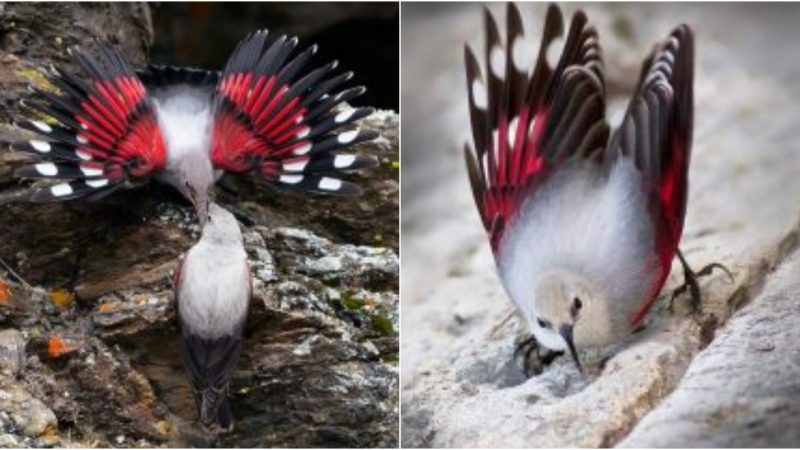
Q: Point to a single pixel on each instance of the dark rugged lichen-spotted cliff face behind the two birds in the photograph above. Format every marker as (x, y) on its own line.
(89, 345)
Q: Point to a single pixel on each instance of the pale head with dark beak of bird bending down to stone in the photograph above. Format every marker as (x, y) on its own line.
(560, 302)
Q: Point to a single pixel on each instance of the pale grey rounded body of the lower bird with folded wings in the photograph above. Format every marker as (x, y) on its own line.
(214, 290)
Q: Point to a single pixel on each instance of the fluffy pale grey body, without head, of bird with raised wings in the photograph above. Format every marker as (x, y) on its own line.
(583, 221)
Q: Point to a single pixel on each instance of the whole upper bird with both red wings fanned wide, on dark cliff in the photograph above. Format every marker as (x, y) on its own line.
(265, 114)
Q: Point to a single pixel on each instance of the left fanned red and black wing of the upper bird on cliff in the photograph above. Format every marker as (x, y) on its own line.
(103, 131)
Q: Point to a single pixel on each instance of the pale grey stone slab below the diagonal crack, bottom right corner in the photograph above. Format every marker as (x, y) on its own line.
(743, 390)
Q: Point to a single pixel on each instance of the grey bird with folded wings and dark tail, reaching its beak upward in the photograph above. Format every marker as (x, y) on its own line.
(213, 290)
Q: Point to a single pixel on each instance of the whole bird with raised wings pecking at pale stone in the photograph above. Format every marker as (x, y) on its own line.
(583, 228)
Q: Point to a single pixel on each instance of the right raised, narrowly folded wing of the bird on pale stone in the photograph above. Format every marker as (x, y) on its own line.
(657, 133)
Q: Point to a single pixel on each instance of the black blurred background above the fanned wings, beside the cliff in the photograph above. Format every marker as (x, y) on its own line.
(364, 37)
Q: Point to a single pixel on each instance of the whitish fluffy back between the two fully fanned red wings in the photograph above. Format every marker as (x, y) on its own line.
(185, 116)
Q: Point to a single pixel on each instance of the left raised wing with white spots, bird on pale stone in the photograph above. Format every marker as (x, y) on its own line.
(525, 124)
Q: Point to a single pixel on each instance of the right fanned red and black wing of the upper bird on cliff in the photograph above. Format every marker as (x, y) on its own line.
(283, 123)
